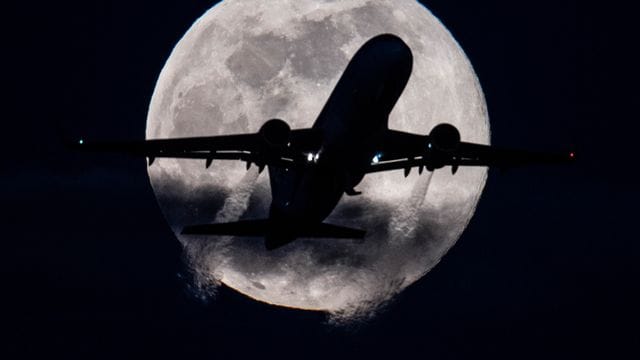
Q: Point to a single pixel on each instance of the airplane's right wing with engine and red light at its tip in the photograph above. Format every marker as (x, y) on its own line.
(442, 147)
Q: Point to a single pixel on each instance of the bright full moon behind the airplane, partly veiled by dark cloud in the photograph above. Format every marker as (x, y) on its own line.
(244, 62)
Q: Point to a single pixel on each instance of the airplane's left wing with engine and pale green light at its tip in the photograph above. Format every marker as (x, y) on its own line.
(274, 144)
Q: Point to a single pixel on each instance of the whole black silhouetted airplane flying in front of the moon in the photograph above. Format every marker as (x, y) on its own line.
(310, 169)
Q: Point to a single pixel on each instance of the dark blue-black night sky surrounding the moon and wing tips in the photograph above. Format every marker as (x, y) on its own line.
(548, 266)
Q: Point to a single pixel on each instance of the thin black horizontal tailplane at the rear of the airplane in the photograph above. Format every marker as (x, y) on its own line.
(275, 234)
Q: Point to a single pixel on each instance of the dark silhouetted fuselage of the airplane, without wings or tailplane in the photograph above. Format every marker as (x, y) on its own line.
(350, 125)
